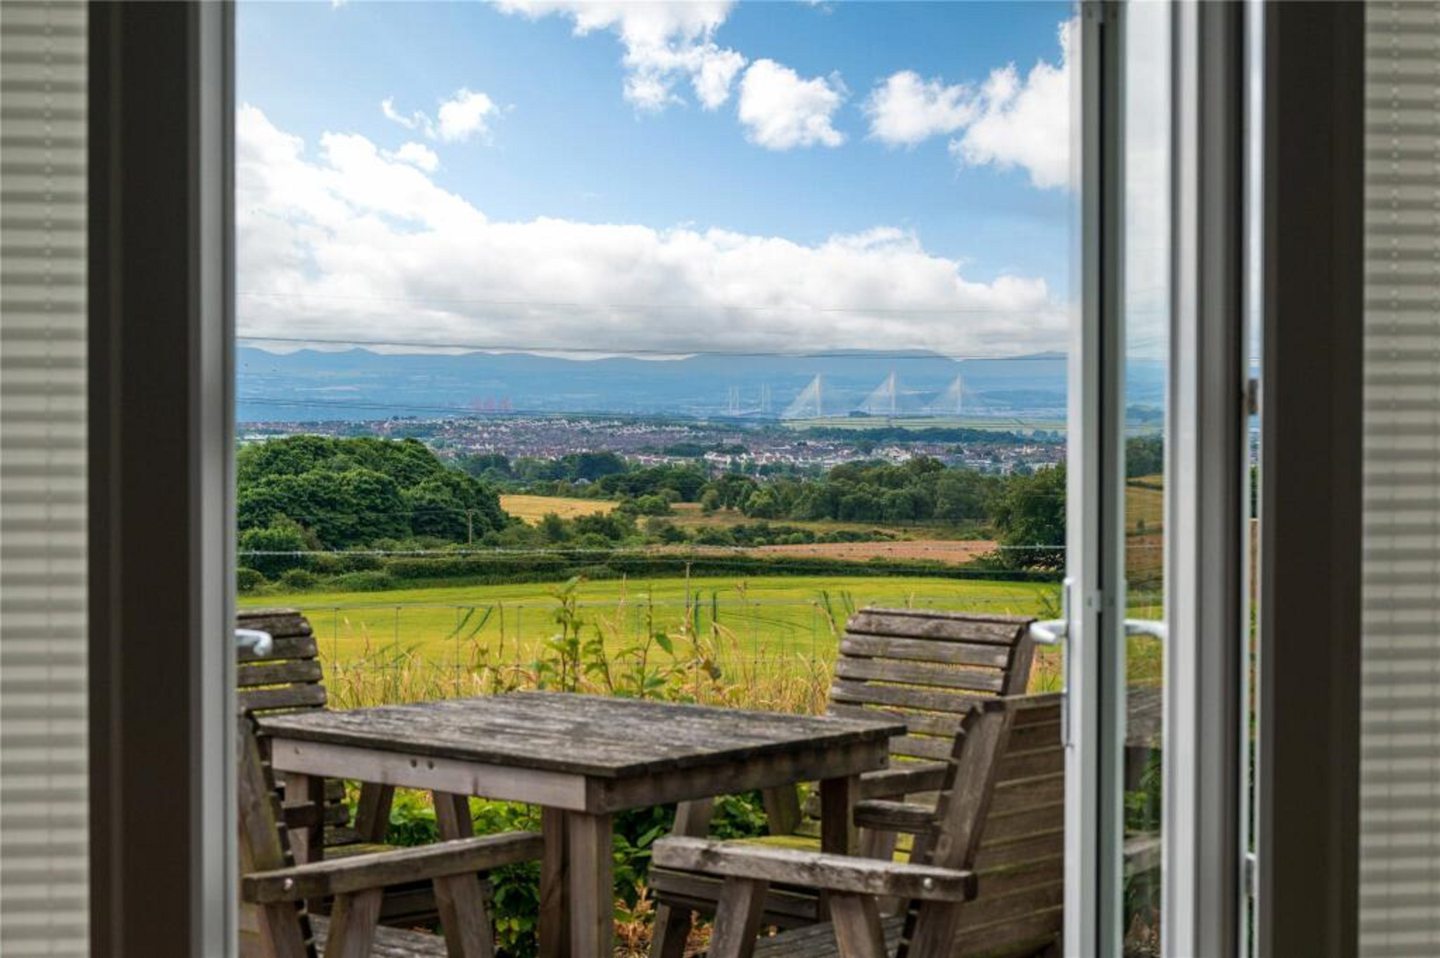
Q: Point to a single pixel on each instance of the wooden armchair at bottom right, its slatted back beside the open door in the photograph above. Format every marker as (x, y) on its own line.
(987, 877)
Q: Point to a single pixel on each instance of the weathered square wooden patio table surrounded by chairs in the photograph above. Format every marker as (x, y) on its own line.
(582, 760)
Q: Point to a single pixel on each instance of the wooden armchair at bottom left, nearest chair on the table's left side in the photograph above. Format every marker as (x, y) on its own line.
(276, 923)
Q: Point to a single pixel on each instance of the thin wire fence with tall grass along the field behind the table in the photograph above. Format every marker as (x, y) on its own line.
(748, 652)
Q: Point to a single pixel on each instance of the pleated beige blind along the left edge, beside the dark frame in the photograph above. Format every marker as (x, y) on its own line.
(44, 890)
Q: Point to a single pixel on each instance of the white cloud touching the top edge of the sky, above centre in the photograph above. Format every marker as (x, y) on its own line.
(666, 42)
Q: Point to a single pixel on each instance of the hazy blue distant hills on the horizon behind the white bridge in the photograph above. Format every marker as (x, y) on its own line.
(359, 384)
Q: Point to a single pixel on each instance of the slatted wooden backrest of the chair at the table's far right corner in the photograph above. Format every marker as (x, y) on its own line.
(928, 669)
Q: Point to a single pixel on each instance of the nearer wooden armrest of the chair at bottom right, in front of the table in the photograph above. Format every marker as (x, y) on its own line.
(829, 872)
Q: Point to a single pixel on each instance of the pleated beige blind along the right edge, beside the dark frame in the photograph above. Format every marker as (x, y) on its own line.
(1400, 722)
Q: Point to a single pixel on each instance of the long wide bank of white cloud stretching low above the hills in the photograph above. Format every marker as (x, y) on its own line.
(342, 241)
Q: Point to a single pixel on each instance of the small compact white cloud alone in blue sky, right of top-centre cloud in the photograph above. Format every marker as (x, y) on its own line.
(783, 112)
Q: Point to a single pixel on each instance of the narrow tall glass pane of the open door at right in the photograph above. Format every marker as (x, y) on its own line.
(1147, 348)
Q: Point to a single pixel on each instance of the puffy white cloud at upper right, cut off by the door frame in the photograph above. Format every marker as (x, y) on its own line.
(1010, 122)
